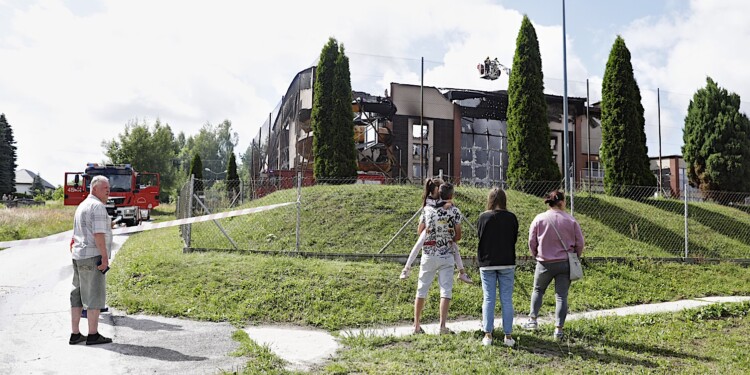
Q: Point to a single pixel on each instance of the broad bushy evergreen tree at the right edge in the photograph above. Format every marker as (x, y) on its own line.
(717, 141)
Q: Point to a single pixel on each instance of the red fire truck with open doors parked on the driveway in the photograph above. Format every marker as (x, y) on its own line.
(132, 194)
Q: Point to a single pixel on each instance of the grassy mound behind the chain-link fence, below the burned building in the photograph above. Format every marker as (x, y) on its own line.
(363, 218)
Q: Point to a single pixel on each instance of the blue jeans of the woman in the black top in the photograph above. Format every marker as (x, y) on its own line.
(490, 280)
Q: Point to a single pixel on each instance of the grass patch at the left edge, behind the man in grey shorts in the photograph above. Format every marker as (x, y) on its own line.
(36, 221)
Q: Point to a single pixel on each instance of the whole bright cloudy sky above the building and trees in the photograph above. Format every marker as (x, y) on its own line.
(75, 72)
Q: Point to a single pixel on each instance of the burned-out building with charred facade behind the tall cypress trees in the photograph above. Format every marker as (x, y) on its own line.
(415, 132)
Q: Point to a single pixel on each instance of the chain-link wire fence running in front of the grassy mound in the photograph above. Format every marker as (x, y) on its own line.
(379, 217)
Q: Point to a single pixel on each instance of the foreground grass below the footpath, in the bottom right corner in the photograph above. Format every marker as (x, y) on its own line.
(692, 342)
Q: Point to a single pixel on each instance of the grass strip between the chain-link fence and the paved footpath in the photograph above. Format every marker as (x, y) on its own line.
(152, 275)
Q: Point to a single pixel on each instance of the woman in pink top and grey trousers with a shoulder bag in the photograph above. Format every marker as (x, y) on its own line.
(550, 251)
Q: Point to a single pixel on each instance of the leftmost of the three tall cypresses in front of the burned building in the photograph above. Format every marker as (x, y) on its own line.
(331, 118)
